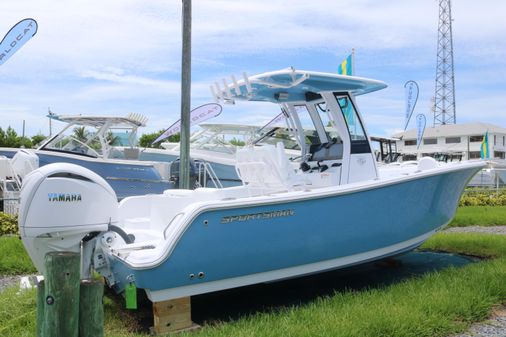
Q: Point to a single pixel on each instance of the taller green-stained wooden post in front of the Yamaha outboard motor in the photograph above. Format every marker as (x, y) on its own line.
(61, 307)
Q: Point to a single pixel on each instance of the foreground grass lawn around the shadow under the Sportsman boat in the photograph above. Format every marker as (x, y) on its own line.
(435, 304)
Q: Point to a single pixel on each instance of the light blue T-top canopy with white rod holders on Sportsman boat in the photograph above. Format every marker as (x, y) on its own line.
(290, 85)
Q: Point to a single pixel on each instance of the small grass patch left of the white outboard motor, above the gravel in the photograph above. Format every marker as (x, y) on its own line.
(13, 257)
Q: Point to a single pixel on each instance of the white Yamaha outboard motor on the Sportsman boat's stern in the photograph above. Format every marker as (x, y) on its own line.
(61, 204)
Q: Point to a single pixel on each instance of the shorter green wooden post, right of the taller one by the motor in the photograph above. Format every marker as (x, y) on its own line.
(91, 309)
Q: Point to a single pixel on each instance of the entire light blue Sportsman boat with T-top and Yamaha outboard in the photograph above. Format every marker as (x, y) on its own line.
(337, 209)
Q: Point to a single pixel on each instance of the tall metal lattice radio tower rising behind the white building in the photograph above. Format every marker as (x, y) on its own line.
(444, 99)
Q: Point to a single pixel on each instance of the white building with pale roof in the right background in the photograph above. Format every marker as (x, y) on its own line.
(459, 139)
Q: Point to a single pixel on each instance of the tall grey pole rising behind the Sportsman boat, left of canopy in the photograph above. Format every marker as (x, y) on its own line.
(184, 156)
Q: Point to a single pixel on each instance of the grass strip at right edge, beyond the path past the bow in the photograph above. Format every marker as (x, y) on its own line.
(479, 215)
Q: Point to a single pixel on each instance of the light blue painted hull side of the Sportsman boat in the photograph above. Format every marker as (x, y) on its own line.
(322, 229)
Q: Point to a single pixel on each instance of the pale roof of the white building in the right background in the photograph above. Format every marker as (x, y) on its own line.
(453, 130)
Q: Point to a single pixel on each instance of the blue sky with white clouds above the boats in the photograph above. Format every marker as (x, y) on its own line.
(114, 57)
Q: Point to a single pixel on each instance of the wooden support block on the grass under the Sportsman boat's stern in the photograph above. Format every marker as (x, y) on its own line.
(172, 316)
